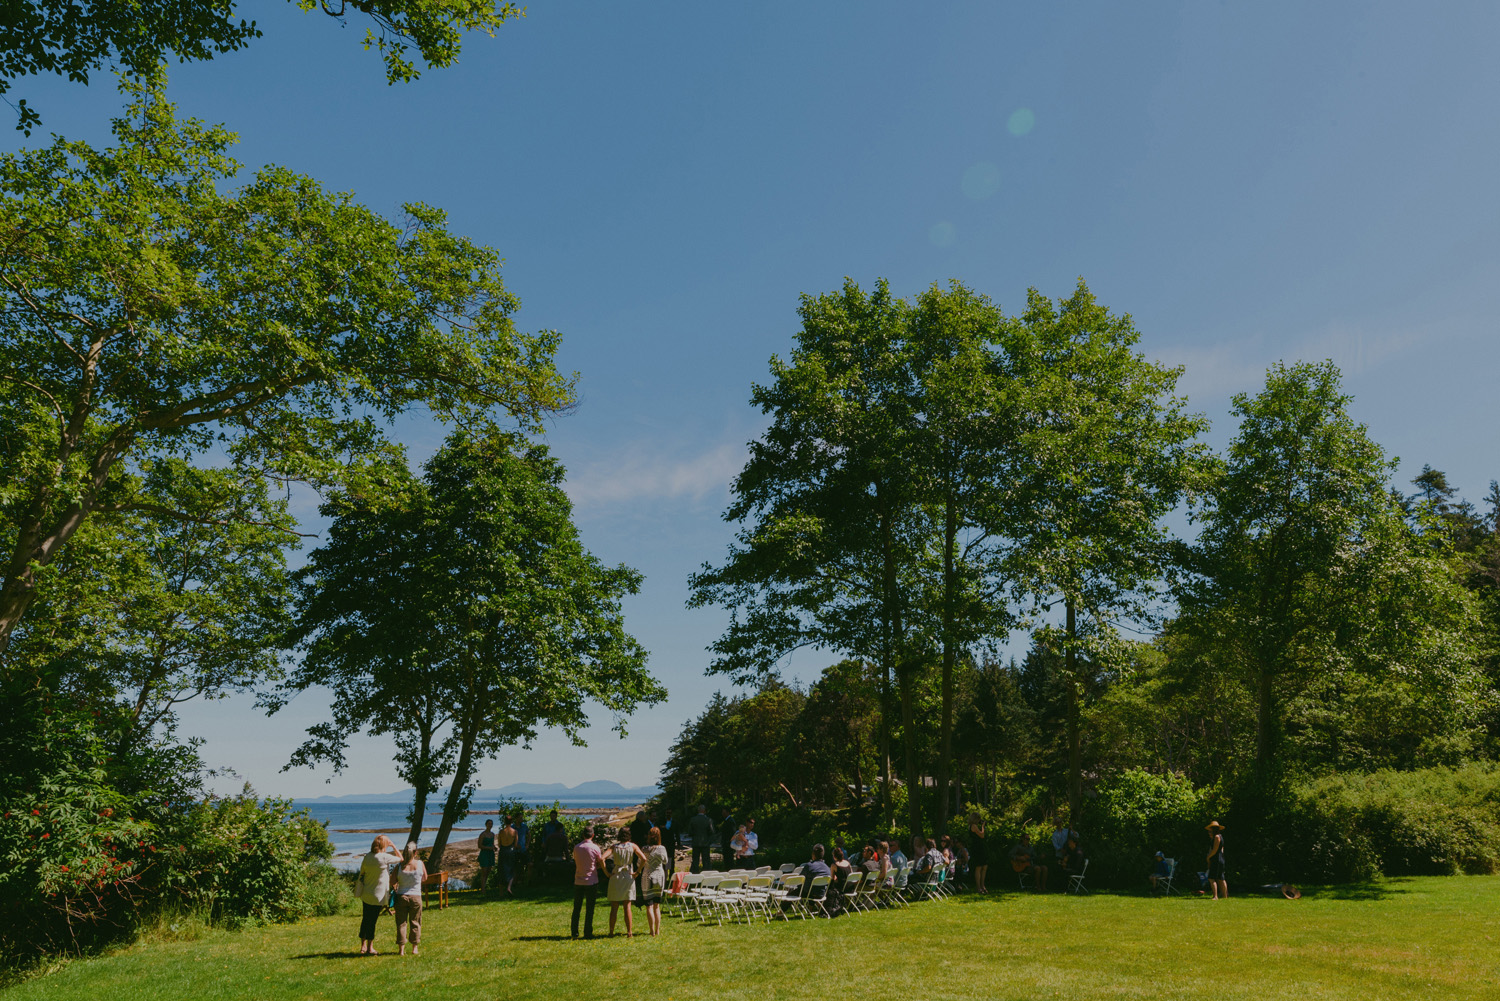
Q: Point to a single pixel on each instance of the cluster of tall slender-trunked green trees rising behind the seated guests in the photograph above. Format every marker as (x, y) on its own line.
(934, 472)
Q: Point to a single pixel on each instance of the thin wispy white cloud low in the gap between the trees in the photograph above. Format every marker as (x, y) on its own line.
(643, 473)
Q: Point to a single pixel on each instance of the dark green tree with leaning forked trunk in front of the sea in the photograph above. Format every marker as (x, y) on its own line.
(512, 624)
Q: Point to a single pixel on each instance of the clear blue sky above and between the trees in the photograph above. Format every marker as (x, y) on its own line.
(1252, 182)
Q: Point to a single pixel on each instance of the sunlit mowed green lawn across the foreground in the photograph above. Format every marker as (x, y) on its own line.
(1402, 939)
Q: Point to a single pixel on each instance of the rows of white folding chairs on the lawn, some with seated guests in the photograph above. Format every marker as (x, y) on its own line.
(746, 895)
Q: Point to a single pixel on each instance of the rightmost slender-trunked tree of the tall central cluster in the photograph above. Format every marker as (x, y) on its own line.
(1108, 452)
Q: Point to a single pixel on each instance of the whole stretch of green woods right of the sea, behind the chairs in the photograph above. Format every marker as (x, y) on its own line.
(941, 479)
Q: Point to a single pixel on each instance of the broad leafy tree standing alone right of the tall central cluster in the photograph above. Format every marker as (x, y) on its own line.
(1307, 576)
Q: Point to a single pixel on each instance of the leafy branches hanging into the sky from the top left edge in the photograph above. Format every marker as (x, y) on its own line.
(74, 40)
